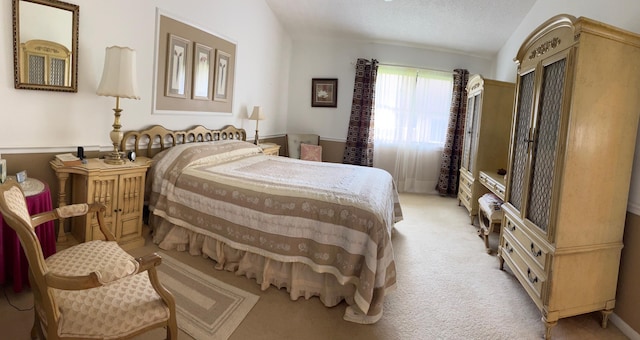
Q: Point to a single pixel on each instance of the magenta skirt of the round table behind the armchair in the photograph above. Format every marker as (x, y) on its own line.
(13, 263)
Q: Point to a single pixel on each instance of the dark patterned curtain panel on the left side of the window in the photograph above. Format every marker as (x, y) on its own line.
(359, 145)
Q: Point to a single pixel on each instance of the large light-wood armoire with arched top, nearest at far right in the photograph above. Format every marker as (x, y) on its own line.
(570, 160)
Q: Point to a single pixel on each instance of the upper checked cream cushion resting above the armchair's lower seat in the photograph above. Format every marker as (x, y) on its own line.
(104, 257)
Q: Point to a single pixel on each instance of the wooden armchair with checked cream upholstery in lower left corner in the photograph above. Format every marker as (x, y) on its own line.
(93, 290)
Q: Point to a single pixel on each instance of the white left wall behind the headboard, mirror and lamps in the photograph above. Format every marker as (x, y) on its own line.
(45, 120)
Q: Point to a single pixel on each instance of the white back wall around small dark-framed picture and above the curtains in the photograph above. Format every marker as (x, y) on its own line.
(336, 59)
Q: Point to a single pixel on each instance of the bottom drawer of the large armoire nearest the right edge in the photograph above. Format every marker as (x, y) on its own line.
(530, 276)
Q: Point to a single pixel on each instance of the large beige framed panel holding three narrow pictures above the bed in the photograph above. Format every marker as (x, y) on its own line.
(200, 81)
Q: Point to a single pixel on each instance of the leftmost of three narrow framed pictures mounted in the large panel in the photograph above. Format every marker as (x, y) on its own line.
(177, 65)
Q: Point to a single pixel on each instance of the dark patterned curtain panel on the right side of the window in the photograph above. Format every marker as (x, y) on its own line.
(450, 163)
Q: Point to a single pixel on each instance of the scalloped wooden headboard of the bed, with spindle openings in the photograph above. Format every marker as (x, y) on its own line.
(157, 138)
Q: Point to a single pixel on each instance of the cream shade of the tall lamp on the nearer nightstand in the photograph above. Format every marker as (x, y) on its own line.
(119, 73)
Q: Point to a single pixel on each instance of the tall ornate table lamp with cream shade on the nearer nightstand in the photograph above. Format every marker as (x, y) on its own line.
(118, 80)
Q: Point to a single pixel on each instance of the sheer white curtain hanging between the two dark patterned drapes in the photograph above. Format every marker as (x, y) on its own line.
(412, 113)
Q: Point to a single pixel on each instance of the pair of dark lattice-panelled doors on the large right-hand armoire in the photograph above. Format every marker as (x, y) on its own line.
(536, 143)
